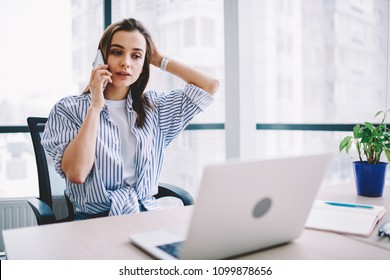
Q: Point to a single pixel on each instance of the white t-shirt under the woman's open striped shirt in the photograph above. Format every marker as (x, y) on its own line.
(119, 116)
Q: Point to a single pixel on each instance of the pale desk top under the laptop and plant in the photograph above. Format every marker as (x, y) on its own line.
(107, 238)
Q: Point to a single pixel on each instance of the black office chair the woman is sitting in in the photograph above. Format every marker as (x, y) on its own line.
(50, 183)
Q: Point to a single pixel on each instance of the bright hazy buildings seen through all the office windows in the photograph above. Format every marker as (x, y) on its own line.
(314, 61)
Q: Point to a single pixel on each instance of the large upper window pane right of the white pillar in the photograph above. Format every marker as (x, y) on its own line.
(318, 61)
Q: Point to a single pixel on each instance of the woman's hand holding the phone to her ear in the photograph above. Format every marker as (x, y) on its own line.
(100, 76)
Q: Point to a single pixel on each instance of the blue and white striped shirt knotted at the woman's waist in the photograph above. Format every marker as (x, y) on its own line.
(104, 189)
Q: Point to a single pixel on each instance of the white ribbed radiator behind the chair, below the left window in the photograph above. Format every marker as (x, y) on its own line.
(17, 214)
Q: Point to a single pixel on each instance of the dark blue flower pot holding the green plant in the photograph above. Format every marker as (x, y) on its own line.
(370, 178)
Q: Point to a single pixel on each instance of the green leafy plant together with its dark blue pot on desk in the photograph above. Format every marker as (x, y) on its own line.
(370, 142)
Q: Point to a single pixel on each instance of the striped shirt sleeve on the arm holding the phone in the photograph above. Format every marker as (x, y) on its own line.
(59, 131)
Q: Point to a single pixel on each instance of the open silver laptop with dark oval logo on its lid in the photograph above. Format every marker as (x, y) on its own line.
(242, 207)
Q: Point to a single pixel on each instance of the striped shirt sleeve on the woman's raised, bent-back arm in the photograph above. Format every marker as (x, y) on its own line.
(177, 108)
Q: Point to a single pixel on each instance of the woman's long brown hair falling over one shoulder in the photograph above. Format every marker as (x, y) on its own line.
(138, 87)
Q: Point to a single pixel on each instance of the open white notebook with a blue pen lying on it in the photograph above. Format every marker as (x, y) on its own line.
(357, 219)
